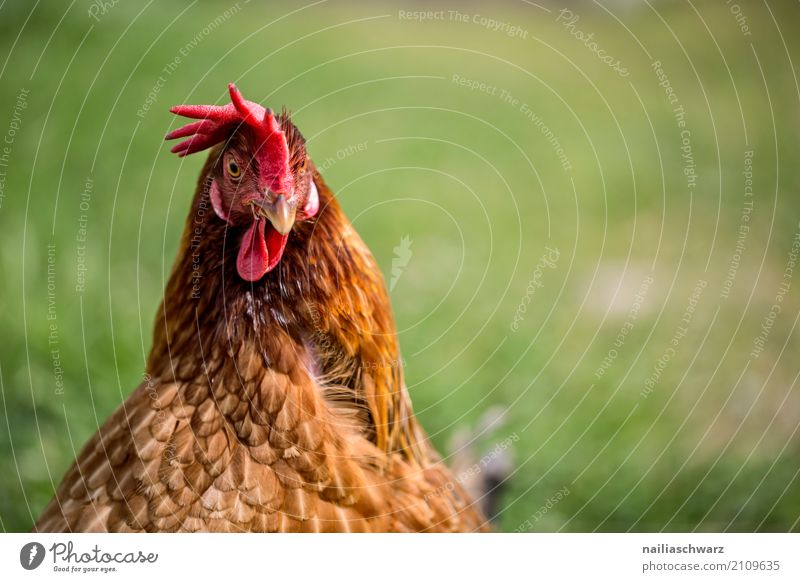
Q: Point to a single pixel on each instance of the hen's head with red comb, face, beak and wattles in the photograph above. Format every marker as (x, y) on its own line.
(260, 181)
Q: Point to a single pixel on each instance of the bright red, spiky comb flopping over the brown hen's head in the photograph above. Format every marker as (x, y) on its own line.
(216, 124)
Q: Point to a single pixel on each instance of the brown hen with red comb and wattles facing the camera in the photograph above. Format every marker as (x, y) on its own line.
(273, 399)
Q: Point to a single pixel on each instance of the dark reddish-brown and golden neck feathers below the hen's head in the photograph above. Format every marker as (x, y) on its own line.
(323, 309)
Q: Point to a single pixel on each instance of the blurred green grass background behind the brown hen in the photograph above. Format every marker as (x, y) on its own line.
(556, 149)
